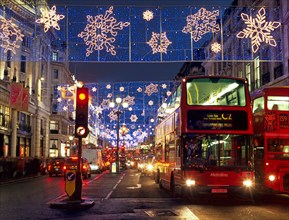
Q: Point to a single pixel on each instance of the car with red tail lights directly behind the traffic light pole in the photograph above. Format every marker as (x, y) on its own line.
(71, 164)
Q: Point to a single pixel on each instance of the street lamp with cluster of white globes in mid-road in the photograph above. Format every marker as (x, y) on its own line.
(118, 112)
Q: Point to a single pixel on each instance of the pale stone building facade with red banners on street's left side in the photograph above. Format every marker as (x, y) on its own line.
(29, 73)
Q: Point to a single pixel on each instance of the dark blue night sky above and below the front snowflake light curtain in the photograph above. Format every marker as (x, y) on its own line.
(118, 72)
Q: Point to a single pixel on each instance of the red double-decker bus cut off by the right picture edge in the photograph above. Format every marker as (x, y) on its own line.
(271, 137)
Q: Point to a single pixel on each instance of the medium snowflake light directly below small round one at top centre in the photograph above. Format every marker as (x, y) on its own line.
(159, 42)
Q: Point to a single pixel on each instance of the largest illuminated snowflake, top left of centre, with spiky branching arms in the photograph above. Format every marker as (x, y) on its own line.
(101, 31)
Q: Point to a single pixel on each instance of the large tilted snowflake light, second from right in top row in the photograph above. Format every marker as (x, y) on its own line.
(201, 23)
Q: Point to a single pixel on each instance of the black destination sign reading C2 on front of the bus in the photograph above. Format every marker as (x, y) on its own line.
(217, 120)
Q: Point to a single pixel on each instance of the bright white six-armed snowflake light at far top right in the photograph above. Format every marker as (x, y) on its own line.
(258, 29)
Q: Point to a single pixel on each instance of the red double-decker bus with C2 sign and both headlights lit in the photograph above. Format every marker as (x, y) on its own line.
(203, 138)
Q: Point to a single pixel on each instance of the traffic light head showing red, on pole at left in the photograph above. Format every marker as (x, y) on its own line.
(81, 115)
